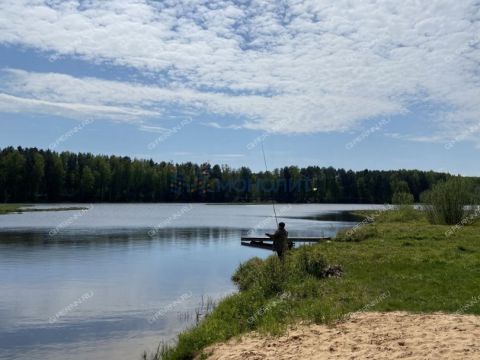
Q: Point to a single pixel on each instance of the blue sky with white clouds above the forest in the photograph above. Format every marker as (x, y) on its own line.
(351, 84)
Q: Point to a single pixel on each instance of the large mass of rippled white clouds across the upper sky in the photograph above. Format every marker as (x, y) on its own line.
(292, 67)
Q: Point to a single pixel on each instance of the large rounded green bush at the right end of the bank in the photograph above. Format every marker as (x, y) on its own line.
(448, 202)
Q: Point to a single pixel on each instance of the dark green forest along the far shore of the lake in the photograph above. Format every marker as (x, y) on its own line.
(33, 175)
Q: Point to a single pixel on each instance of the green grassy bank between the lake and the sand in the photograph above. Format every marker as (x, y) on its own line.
(397, 262)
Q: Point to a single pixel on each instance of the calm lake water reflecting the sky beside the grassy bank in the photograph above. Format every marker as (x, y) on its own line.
(115, 280)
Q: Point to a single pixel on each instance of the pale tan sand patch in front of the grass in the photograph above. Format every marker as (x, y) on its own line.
(395, 335)
